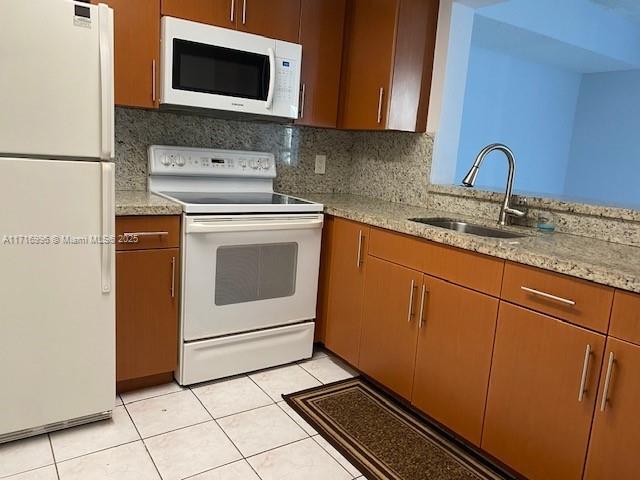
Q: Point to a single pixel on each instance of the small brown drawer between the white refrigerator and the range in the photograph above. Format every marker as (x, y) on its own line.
(147, 232)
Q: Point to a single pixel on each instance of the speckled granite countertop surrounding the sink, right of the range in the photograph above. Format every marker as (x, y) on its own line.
(603, 262)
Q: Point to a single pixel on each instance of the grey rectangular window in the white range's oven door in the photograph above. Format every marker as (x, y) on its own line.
(247, 273)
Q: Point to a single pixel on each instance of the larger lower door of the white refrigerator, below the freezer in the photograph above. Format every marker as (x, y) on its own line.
(57, 320)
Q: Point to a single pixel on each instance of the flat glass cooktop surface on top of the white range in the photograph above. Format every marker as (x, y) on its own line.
(235, 198)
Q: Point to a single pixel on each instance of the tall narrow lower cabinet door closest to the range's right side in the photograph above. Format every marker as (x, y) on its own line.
(346, 285)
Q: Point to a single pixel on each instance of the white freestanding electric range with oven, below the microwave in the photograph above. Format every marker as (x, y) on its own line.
(250, 260)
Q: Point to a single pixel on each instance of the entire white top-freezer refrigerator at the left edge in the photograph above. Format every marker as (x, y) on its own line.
(57, 252)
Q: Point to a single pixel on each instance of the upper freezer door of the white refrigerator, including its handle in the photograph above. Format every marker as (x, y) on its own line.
(56, 79)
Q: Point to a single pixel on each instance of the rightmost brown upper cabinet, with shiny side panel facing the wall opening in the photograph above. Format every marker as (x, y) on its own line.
(387, 64)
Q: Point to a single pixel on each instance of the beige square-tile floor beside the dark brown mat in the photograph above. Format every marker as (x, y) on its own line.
(232, 429)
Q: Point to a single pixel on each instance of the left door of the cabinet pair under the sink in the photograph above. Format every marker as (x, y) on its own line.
(390, 324)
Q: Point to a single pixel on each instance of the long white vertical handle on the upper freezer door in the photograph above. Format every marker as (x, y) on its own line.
(105, 16)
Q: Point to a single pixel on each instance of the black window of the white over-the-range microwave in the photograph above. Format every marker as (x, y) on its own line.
(198, 67)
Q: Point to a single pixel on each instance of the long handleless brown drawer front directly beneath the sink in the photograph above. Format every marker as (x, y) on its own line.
(468, 269)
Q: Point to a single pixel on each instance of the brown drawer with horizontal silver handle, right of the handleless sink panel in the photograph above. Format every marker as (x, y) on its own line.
(577, 301)
